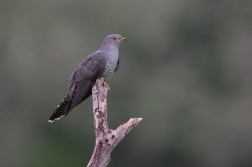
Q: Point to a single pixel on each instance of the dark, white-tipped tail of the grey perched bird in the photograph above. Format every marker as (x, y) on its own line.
(62, 109)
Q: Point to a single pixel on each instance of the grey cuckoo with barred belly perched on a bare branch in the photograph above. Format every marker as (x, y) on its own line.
(101, 63)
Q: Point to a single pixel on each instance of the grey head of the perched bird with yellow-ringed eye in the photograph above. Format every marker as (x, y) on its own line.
(113, 40)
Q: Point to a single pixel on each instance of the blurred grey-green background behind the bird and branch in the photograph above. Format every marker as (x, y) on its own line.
(186, 69)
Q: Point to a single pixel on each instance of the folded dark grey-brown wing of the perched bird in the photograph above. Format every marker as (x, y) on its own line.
(83, 78)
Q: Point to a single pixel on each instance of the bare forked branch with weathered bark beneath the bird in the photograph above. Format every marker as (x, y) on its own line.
(106, 138)
